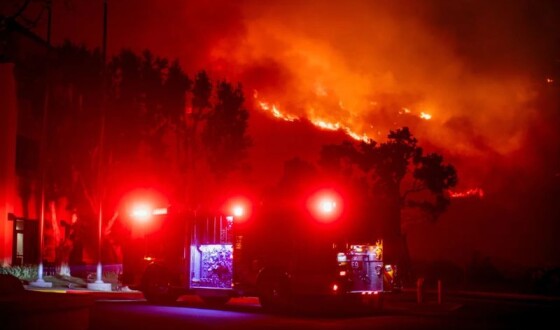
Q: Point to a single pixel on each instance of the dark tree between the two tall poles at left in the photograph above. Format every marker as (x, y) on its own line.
(74, 83)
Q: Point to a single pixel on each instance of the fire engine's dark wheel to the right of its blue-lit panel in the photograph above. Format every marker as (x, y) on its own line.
(274, 293)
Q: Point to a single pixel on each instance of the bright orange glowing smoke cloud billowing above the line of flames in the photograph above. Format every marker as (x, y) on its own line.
(369, 67)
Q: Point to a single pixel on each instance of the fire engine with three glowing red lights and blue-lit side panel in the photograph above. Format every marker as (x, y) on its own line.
(277, 252)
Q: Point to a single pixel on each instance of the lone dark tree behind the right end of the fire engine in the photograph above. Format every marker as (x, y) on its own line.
(400, 177)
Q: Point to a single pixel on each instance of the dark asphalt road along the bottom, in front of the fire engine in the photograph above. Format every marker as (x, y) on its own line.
(245, 313)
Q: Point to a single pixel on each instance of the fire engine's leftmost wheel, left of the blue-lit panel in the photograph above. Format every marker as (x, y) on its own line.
(156, 286)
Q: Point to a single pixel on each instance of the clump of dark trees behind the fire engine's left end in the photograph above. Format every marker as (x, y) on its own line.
(157, 125)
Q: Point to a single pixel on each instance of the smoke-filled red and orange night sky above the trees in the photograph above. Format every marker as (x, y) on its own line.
(487, 72)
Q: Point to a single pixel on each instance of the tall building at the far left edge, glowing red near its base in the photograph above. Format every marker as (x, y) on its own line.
(20, 136)
